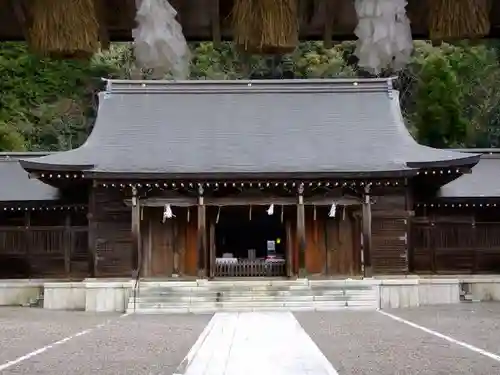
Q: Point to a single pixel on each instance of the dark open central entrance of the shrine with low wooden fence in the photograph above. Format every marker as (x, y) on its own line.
(249, 242)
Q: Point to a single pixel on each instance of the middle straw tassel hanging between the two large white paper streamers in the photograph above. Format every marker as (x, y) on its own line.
(266, 26)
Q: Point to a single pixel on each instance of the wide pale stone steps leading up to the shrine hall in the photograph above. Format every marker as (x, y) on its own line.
(205, 296)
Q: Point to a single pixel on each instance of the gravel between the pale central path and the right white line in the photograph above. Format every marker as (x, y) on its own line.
(369, 343)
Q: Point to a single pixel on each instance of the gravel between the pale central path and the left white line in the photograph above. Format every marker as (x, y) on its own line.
(135, 345)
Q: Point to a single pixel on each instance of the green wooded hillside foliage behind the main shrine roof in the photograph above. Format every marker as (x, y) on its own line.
(449, 93)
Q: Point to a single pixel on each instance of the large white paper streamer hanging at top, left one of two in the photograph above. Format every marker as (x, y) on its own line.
(159, 43)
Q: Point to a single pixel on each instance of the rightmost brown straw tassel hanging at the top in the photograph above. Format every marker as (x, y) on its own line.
(459, 19)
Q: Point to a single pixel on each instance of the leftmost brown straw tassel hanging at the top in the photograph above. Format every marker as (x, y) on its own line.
(68, 28)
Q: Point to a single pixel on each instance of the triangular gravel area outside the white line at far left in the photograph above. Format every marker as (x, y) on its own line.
(23, 330)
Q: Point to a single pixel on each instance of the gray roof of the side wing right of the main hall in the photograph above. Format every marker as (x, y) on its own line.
(484, 181)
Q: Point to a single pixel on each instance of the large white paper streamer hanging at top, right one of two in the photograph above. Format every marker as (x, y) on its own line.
(384, 35)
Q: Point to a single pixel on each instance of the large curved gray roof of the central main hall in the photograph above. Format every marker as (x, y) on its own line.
(328, 127)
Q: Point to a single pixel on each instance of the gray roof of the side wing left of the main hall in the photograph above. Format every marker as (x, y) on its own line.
(15, 184)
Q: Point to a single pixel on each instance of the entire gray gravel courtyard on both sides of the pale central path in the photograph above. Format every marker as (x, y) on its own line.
(355, 342)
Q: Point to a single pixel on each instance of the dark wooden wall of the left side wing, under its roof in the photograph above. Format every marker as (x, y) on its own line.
(44, 243)
